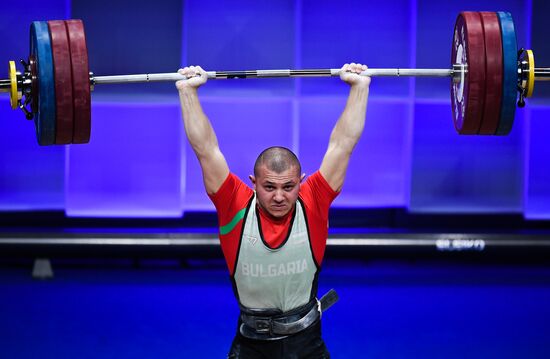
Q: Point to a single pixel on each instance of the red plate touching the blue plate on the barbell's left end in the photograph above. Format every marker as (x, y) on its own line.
(63, 82)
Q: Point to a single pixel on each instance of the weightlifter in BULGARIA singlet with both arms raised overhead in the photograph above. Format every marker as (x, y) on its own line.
(273, 235)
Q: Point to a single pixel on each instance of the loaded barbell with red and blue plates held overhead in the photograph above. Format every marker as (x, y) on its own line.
(487, 74)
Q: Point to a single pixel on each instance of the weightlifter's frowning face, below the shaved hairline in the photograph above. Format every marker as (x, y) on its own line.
(277, 192)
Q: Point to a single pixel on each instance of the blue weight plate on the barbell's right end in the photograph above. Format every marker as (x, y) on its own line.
(510, 73)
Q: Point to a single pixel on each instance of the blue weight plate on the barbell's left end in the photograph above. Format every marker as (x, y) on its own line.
(41, 49)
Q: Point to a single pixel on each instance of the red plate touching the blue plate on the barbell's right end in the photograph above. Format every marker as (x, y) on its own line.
(493, 73)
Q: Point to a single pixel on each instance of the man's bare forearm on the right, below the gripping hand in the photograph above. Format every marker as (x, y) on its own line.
(350, 125)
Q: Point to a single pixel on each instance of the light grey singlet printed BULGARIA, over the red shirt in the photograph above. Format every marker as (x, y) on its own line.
(280, 278)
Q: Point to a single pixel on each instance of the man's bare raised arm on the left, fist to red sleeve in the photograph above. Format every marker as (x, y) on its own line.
(199, 130)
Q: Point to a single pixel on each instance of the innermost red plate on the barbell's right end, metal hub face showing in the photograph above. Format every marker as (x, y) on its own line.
(468, 94)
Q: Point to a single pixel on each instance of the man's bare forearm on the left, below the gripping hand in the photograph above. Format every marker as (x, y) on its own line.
(198, 128)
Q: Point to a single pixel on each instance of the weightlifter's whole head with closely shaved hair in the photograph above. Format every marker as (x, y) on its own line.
(277, 177)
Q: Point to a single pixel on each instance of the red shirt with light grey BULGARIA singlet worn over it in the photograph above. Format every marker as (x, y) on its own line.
(278, 273)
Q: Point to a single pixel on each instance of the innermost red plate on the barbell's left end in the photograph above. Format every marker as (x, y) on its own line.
(81, 81)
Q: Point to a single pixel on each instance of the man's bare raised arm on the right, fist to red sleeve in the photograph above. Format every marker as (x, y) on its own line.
(348, 128)
